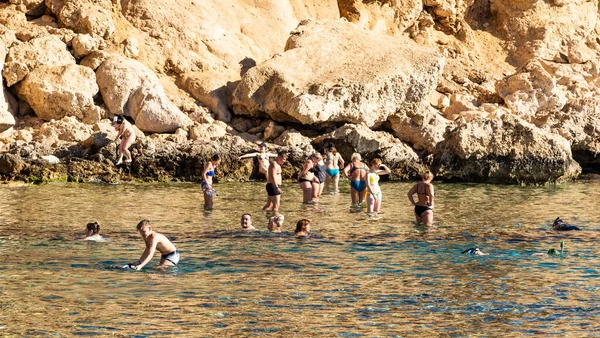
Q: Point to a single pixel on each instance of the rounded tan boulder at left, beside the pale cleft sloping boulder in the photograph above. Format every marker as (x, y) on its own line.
(58, 91)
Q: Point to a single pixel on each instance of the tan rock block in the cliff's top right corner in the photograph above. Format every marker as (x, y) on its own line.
(543, 29)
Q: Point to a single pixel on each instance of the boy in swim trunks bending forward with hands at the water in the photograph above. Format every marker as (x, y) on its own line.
(155, 241)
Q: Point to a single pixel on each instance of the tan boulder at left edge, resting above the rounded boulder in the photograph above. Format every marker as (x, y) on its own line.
(23, 58)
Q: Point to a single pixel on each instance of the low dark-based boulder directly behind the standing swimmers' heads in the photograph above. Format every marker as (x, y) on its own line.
(351, 138)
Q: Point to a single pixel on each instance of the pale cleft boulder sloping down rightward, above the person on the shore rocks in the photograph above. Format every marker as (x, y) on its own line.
(128, 87)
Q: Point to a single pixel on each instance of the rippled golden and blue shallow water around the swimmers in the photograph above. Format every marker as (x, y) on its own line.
(356, 276)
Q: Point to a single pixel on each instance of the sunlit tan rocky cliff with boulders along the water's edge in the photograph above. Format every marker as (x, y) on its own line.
(499, 91)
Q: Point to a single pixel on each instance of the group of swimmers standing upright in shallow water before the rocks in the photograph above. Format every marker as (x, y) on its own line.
(320, 172)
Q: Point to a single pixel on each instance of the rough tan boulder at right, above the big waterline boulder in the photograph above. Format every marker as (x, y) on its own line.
(530, 90)
